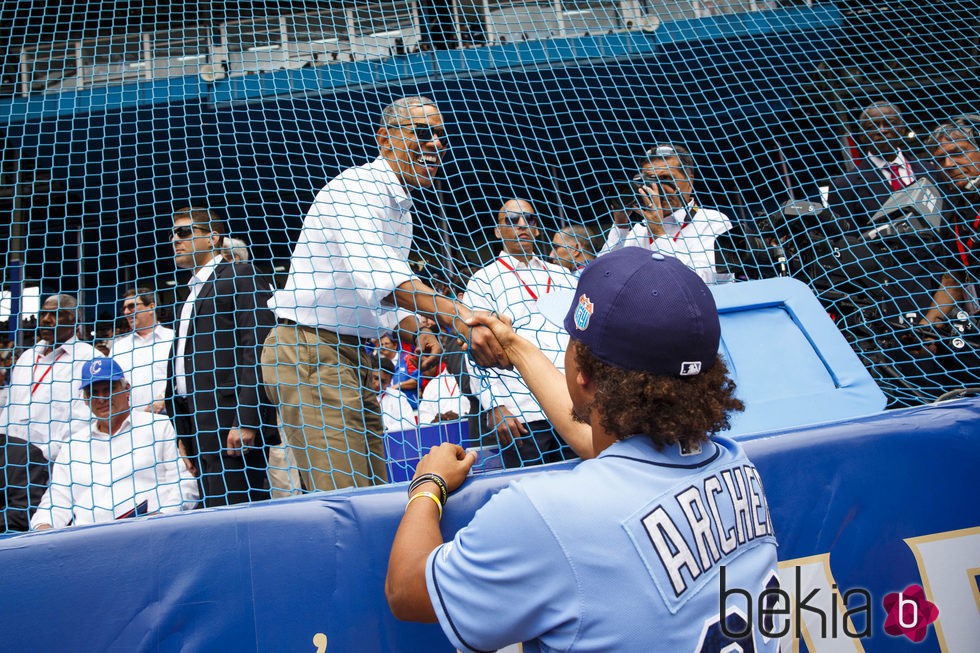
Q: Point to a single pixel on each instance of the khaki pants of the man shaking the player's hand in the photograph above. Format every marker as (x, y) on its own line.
(328, 413)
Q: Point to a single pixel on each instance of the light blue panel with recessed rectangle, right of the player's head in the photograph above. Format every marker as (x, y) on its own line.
(791, 363)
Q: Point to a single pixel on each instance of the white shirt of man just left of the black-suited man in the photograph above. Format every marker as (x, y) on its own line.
(144, 362)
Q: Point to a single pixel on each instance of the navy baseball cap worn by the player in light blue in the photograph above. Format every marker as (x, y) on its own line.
(640, 310)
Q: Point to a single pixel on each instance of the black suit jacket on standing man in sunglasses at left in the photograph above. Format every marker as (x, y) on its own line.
(222, 362)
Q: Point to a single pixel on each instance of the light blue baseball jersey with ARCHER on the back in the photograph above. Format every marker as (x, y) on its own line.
(624, 552)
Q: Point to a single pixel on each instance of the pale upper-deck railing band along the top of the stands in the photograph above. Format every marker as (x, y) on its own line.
(374, 30)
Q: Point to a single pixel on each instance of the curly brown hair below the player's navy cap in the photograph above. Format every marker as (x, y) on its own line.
(669, 410)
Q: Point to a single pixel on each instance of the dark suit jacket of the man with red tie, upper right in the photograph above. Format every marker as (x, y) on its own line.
(858, 195)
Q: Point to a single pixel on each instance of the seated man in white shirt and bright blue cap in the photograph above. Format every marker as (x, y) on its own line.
(121, 463)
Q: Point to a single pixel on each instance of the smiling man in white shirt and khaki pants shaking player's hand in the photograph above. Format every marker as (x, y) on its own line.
(348, 278)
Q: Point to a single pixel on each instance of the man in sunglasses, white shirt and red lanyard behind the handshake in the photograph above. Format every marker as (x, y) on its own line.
(512, 285)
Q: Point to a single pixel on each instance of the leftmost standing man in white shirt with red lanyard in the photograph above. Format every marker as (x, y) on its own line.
(43, 402)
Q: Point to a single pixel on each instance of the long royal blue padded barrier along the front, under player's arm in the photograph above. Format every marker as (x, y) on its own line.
(282, 575)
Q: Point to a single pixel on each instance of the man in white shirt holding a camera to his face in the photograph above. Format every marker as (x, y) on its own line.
(672, 223)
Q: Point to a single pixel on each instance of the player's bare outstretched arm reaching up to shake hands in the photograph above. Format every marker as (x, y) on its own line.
(545, 381)
